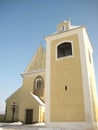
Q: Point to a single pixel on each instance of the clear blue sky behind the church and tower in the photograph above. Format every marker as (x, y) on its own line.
(23, 25)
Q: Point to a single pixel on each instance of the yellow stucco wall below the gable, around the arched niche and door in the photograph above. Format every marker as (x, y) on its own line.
(20, 95)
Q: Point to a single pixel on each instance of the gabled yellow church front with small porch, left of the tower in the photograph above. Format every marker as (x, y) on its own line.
(27, 104)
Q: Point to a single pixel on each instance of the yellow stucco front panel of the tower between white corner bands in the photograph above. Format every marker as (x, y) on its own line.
(66, 106)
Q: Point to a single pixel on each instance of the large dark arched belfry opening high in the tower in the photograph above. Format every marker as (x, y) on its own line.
(64, 49)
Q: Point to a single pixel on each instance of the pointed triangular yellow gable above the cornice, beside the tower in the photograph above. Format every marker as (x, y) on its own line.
(38, 60)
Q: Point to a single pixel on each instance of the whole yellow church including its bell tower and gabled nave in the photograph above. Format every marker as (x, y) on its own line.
(59, 83)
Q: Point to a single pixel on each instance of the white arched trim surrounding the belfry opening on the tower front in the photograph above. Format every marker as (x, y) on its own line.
(65, 57)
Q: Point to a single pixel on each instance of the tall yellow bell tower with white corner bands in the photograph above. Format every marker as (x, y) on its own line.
(71, 99)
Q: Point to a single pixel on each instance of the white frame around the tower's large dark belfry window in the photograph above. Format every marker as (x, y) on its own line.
(67, 56)
